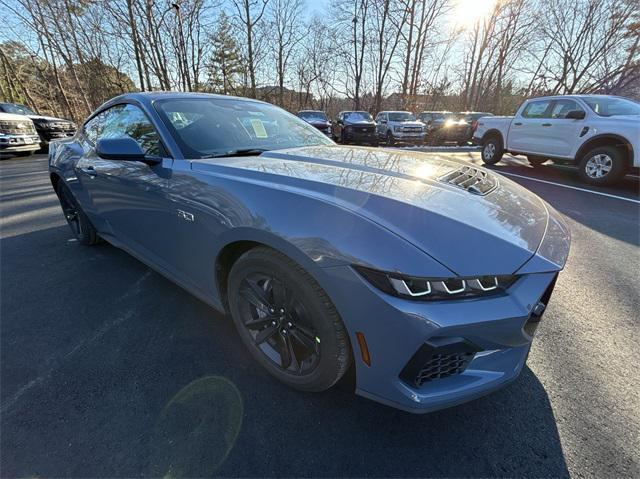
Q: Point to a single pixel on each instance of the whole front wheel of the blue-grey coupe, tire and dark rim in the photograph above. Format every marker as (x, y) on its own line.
(261, 284)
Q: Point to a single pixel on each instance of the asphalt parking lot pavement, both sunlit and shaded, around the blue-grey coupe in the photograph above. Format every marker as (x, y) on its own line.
(108, 369)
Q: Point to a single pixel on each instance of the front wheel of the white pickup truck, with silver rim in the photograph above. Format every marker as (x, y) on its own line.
(603, 165)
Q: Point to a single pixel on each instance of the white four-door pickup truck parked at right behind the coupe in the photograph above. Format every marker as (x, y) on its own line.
(598, 133)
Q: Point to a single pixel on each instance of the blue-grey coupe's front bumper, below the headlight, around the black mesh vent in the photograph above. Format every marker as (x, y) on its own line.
(498, 327)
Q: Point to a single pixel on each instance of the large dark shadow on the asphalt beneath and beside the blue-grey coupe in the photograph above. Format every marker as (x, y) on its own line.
(108, 369)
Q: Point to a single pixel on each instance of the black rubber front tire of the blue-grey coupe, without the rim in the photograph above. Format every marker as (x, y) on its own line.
(330, 367)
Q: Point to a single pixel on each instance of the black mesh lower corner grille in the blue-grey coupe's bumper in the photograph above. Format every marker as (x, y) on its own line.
(438, 358)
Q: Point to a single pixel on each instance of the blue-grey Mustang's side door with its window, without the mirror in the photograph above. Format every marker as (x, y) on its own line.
(130, 197)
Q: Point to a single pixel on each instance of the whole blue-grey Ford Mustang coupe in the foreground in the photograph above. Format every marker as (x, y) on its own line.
(424, 276)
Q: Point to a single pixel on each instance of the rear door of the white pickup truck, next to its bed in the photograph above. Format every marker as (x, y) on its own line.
(529, 128)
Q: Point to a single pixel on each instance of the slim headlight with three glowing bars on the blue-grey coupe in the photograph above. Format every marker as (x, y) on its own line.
(435, 288)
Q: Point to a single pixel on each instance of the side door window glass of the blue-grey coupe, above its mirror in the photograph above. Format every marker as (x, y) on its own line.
(123, 121)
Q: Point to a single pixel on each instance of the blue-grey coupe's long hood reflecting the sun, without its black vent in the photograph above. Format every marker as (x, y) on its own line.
(471, 234)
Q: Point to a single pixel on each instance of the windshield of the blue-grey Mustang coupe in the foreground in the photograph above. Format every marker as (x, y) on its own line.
(205, 127)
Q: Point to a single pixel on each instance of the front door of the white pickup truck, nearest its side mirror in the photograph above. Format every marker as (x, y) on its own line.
(562, 132)
